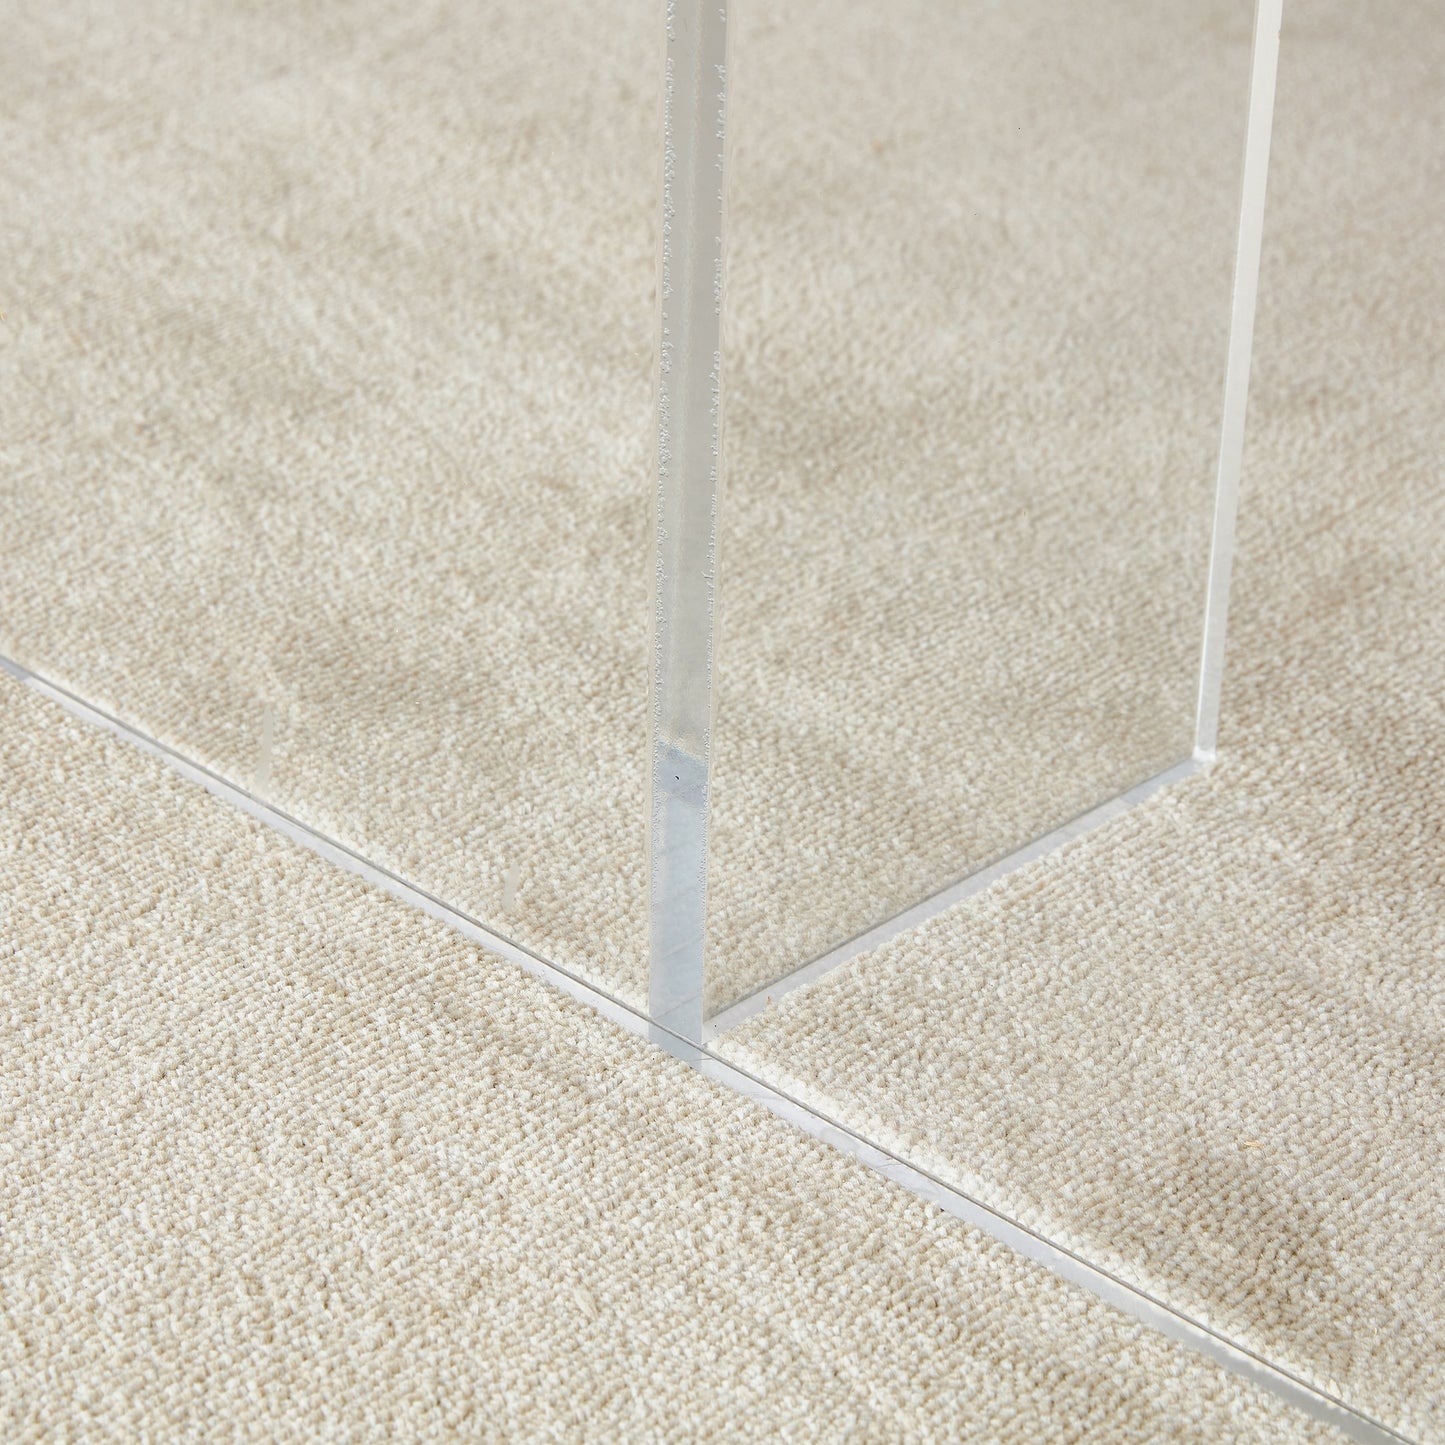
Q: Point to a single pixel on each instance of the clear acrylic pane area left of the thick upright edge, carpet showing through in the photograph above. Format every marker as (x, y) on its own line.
(327, 381)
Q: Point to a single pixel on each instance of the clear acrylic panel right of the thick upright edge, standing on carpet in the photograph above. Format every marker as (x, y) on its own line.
(978, 319)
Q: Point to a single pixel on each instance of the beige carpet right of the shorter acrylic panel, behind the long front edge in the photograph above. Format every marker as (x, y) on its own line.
(1207, 1044)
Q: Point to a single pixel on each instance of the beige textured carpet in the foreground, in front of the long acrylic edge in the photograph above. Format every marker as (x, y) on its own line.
(281, 1160)
